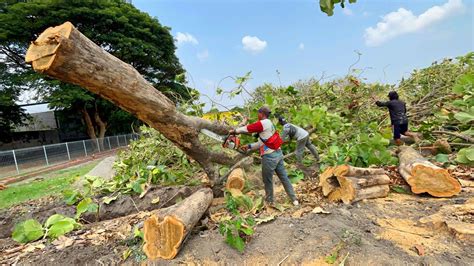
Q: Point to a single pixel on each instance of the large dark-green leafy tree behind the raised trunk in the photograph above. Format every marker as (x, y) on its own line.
(118, 27)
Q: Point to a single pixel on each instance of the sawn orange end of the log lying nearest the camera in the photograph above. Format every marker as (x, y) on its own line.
(163, 239)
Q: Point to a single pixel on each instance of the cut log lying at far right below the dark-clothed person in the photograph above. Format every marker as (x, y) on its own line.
(423, 176)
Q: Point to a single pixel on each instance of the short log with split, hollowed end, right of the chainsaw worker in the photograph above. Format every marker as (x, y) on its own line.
(351, 184)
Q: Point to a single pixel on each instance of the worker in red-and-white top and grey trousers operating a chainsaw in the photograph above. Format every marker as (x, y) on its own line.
(269, 143)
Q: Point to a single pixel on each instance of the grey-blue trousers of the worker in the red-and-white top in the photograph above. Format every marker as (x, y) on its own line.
(271, 163)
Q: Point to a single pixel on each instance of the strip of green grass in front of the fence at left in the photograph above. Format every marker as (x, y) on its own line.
(43, 185)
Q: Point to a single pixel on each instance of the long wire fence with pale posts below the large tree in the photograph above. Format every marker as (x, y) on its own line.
(25, 160)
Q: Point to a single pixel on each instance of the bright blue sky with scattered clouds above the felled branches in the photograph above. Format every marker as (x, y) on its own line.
(298, 40)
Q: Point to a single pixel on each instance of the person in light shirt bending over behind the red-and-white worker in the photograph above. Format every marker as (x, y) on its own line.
(291, 131)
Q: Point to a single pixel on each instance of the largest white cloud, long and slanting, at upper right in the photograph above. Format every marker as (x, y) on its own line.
(403, 21)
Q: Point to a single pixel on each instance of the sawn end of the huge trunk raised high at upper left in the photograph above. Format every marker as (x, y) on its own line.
(42, 51)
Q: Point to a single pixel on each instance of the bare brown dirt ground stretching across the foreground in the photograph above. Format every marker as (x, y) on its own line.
(385, 231)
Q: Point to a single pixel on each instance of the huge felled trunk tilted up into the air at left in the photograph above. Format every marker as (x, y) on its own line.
(65, 53)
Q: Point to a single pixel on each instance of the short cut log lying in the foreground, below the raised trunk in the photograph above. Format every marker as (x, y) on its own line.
(165, 231)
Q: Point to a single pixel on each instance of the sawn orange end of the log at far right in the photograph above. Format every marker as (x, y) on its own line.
(434, 181)
